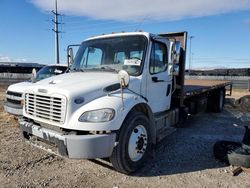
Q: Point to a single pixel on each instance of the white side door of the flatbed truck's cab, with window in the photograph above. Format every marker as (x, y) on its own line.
(158, 81)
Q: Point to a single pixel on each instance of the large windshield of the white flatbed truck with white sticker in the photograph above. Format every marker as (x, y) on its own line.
(111, 54)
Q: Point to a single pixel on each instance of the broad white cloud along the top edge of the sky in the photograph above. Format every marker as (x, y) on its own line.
(134, 10)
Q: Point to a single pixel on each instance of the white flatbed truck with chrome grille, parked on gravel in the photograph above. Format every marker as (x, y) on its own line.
(123, 94)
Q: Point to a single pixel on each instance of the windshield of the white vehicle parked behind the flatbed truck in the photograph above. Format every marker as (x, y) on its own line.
(49, 71)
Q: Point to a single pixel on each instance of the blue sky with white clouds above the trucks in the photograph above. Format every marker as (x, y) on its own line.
(221, 29)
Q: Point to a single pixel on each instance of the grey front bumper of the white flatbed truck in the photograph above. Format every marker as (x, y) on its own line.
(72, 146)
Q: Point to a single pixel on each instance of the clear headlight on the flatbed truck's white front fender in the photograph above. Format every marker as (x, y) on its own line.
(101, 115)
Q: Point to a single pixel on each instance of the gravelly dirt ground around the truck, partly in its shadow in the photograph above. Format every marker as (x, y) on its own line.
(183, 159)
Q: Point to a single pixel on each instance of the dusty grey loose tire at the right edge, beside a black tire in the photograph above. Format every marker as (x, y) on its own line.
(240, 157)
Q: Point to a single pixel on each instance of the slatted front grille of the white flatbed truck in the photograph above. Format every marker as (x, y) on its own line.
(44, 107)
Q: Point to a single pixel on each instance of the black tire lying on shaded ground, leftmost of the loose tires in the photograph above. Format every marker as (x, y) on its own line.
(223, 148)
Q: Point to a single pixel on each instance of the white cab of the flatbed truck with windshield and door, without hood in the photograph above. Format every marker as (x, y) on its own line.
(130, 52)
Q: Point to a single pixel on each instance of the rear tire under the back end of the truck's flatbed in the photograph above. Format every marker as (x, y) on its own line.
(216, 101)
